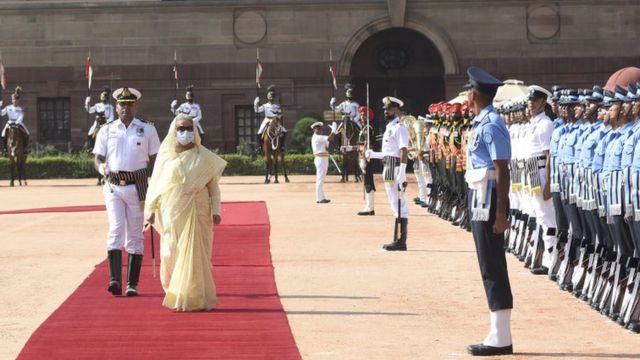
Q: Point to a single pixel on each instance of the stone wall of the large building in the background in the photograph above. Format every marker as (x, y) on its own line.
(44, 45)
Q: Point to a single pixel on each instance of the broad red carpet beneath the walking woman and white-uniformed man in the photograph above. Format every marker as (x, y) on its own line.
(249, 323)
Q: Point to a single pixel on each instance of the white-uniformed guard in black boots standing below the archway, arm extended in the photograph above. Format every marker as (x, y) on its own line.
(395, 143)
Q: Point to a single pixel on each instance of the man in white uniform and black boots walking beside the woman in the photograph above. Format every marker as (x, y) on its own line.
(125, 151)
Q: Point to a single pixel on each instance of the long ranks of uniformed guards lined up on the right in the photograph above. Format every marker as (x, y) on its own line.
(574, 194)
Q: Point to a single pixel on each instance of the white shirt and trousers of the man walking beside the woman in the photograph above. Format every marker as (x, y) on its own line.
(125, 149)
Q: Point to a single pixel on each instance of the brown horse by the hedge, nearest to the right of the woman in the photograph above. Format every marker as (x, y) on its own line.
(273, 149)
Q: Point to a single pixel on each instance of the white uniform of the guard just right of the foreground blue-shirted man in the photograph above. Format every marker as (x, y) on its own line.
(537, 141)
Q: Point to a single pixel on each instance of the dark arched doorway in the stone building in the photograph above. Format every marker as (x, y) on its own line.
(398, 62)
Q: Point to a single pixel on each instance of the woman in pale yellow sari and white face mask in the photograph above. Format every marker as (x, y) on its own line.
(183, 201)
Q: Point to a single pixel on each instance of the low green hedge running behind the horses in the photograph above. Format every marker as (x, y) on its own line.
(81, 166)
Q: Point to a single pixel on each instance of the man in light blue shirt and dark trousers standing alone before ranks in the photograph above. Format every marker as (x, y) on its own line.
(489, 153)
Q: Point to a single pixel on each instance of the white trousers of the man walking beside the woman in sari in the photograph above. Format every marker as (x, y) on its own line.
(126, 219)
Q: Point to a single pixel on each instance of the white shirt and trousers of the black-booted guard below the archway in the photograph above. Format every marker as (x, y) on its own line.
(396, 137)
